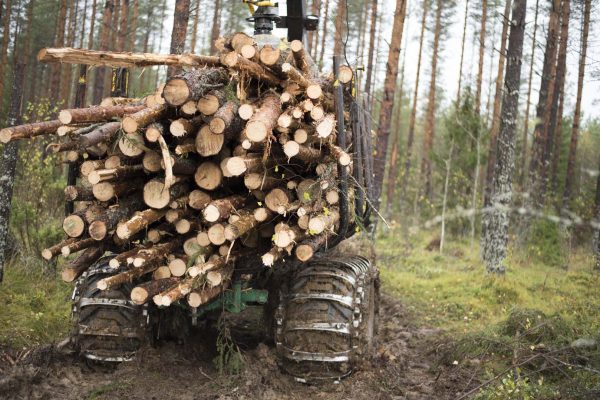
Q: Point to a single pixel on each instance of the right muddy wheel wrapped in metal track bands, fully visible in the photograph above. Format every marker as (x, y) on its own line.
(326, 322)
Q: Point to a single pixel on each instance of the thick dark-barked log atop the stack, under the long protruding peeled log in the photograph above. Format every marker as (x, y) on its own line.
(193, 85)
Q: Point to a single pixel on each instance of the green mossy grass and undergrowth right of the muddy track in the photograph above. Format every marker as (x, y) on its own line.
(532, 334)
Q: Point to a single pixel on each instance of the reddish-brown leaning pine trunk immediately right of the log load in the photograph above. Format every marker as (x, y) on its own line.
(387, 105)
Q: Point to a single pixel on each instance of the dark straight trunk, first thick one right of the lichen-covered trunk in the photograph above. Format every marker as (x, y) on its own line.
(538, 167)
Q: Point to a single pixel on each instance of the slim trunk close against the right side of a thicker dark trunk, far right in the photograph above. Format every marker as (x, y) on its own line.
(556, 113)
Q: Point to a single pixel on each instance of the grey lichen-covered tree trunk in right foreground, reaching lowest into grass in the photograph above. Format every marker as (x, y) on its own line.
(497, 220)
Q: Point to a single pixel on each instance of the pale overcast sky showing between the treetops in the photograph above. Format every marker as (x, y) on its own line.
(451, 49)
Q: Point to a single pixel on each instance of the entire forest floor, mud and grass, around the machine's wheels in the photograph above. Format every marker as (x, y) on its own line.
(446, 331)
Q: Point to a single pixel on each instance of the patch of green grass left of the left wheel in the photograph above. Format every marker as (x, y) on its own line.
(35, 304)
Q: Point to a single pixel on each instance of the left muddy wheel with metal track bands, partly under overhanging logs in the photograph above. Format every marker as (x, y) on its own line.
(107, 326)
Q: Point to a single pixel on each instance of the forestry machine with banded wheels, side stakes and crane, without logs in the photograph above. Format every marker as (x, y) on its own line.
(321, 315)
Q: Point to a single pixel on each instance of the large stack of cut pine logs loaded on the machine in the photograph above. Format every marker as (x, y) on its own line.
(232, 158)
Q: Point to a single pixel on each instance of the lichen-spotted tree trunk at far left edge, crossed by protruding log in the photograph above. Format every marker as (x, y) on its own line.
(8, 163)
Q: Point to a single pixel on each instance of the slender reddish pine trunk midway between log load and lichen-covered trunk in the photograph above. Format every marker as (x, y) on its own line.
(430, 116)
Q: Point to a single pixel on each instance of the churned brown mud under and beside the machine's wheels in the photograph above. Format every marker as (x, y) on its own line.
(404, 367)
